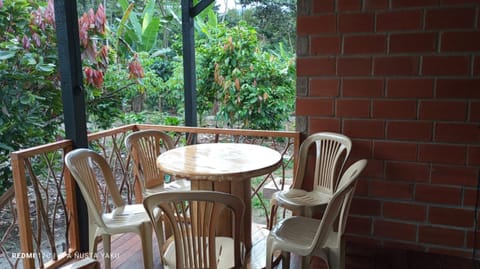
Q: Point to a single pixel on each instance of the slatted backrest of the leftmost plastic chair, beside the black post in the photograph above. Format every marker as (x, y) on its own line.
(88, 168)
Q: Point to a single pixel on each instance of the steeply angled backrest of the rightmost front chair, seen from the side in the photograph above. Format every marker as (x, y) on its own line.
(336, 213)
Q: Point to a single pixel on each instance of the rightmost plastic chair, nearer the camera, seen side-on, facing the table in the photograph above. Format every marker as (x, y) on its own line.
(313, 237)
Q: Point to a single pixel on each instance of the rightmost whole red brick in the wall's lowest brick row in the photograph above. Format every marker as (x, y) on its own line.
(441, 236)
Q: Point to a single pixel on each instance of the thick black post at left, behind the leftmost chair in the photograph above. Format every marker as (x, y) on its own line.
(70, 66)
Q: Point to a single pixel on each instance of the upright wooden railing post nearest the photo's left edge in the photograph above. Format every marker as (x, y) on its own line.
(23, 210)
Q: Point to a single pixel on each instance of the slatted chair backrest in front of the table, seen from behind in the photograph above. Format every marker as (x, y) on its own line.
(194, 217)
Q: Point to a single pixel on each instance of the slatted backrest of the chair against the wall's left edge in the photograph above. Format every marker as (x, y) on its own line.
(331, 153)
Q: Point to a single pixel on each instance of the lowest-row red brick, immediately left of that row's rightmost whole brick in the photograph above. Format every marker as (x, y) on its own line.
(395, 230)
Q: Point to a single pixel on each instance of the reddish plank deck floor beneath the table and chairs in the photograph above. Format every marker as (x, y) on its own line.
(126, 249)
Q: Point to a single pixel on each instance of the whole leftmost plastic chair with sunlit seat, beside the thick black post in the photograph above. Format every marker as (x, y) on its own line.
(87, 168)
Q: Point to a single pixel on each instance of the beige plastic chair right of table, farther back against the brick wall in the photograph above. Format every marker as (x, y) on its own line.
(331, 152)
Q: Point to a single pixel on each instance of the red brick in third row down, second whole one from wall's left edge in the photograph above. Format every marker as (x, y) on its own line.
(364, 44)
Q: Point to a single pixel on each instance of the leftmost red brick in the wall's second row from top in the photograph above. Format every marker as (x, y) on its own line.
(320, 24)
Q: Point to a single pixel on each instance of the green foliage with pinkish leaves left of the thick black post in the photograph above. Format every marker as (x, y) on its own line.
(29, 93)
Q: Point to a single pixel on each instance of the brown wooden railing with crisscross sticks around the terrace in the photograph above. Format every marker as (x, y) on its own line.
(44, 200)
